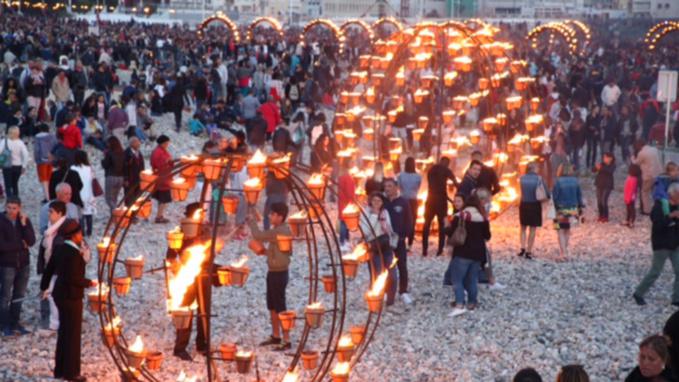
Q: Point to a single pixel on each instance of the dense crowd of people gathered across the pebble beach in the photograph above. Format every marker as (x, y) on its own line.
(63, 91)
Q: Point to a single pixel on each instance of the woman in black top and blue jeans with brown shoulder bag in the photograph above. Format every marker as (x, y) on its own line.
(471, 230)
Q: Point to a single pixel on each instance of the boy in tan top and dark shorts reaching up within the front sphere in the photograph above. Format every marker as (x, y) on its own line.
(278, 262)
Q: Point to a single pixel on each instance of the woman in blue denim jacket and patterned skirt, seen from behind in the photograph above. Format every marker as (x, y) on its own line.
(567, 198)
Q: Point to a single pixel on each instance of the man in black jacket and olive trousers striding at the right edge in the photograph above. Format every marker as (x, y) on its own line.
(665, 244)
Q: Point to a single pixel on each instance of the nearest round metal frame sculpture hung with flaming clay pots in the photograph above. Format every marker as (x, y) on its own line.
(330, 272)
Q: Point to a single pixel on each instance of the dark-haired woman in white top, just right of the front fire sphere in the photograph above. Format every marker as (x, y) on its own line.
(381, 239)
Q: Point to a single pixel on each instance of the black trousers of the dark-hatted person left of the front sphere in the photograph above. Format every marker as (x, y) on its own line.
(67, 356)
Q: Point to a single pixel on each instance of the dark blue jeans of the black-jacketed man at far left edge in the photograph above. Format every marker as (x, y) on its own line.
(13, 285)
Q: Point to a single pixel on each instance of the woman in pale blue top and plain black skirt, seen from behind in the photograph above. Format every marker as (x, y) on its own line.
(533, 193)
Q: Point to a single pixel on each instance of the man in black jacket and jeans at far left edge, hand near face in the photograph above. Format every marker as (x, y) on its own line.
(16, 236)
